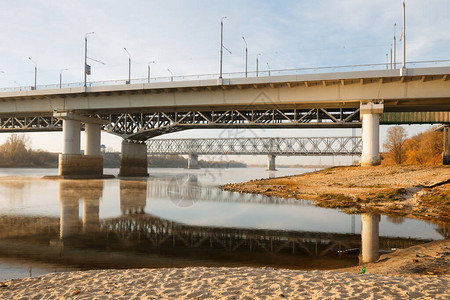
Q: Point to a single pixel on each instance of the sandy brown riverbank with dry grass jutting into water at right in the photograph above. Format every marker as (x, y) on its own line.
(411, 191)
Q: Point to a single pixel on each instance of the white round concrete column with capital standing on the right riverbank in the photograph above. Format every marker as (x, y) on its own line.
(370, 115)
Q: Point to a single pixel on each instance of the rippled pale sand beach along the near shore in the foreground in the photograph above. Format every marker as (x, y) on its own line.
(223, 283)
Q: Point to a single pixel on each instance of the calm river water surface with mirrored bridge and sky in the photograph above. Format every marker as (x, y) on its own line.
(174, 218)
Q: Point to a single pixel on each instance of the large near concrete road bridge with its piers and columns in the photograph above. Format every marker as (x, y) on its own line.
(137, 112)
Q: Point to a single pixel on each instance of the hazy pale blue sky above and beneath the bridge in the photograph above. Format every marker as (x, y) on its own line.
(184, 36)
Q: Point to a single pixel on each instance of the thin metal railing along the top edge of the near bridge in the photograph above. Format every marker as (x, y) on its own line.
(262, 73)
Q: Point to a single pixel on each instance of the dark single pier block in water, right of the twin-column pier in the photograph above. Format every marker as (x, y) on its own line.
(133, 160)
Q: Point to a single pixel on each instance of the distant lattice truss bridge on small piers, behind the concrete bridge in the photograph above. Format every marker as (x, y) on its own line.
(272, 147)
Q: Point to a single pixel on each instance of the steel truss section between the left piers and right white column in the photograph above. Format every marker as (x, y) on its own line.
(142, 126)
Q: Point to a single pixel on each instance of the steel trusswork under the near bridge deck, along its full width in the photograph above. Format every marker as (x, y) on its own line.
(141, 126)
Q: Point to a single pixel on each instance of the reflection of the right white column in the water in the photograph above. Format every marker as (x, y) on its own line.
(370, 238)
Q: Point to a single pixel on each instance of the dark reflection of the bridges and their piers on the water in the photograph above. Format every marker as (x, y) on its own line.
(139, 239)
